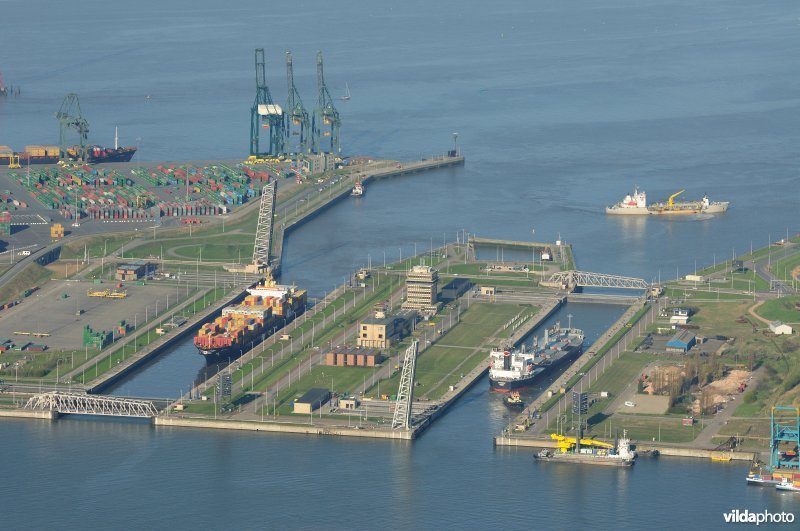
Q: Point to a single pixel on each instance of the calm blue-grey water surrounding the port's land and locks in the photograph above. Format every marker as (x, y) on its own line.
(560, 109)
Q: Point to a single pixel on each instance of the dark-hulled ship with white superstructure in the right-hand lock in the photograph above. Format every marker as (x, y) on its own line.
(517, 369)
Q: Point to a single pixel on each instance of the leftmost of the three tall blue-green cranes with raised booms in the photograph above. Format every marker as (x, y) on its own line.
(265, 116)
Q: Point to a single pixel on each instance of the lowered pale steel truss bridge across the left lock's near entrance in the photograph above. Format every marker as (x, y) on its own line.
(83, 404)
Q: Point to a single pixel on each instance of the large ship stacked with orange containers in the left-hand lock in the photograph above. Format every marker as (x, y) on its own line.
(267, 307)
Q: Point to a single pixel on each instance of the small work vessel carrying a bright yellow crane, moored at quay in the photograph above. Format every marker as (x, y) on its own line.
(590, 452)
